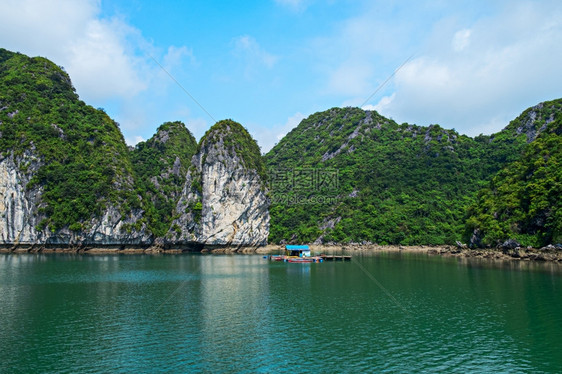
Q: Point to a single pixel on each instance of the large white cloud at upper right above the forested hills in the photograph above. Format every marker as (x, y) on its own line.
(477, 78)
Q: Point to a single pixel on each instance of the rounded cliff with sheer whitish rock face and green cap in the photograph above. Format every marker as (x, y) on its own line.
(224, 199)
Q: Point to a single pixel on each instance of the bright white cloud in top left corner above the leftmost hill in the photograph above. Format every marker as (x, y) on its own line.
(99, 54)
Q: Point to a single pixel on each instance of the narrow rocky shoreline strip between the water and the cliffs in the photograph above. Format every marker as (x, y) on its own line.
(515, 254)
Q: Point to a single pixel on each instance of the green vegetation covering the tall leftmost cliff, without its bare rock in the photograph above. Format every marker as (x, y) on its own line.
(85, 164)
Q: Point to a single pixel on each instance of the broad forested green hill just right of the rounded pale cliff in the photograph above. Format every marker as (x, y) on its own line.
(399, 184)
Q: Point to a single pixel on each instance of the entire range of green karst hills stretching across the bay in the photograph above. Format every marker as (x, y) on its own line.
(70, 181)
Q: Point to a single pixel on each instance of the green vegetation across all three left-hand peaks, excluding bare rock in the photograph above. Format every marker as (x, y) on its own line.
(77, 159)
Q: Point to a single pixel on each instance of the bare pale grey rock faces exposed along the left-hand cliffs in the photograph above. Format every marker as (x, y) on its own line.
(223, 203)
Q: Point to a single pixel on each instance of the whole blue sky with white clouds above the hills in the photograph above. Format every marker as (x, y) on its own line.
(468, 65)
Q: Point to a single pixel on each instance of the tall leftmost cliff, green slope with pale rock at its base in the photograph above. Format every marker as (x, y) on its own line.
(66, 179)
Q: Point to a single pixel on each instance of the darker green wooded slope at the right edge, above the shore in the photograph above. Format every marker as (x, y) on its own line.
(523, 201)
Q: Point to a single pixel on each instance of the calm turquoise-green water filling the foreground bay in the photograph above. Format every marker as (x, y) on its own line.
(205, 313)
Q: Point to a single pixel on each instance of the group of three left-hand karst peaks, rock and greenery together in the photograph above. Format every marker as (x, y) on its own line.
(69, 180)
